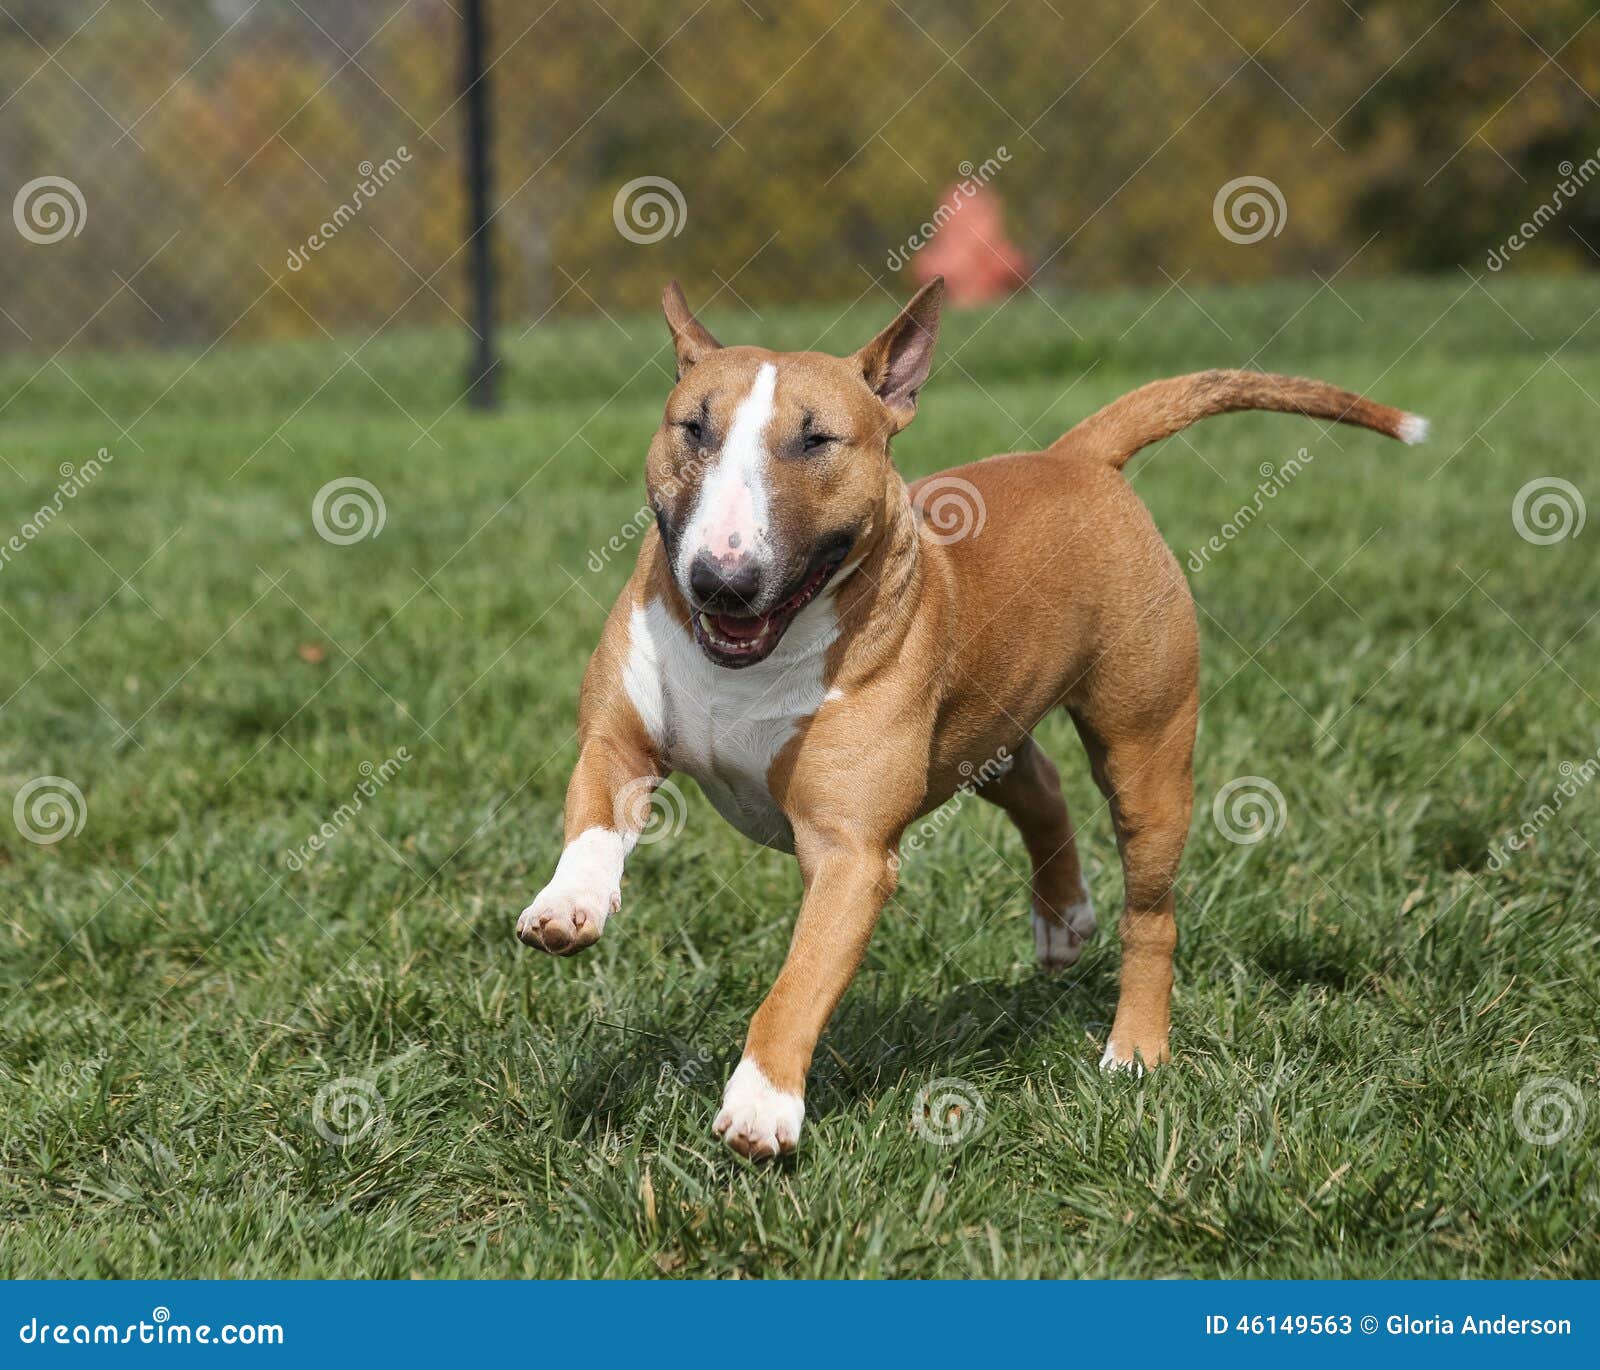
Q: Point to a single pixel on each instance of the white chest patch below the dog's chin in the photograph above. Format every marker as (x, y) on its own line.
(727, 727)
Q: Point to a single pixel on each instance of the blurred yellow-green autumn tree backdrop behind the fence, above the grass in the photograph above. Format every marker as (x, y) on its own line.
(220, 174)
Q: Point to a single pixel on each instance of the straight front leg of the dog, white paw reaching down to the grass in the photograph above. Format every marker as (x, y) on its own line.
(847, 883)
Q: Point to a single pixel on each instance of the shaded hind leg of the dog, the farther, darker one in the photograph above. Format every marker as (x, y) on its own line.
(1031, 796)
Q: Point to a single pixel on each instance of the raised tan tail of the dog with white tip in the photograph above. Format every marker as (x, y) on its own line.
(1164, 407)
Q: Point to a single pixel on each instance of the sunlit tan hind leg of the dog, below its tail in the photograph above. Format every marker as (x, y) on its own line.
(1148, 779)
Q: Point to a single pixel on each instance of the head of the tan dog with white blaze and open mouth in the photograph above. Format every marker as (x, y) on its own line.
(772, 470)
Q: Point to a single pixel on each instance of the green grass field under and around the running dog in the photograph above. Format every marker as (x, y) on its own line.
(1385, 1038)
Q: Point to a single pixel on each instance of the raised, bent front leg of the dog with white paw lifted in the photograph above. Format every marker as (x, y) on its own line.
(607, 807)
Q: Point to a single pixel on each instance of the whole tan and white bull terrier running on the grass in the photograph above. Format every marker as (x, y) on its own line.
(818, 646)
